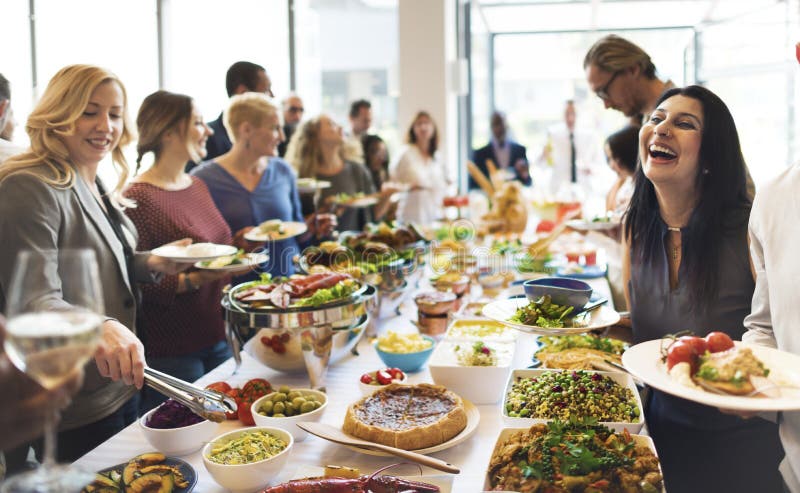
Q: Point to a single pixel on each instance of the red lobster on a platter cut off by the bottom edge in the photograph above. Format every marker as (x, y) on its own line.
(314, 478)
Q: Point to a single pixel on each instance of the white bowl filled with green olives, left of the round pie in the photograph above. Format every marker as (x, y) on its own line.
(287, 406)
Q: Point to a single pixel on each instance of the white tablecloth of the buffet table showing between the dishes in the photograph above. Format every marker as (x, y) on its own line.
(471, 456)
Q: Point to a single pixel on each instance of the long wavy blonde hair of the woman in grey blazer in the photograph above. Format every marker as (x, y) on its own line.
(55, 115)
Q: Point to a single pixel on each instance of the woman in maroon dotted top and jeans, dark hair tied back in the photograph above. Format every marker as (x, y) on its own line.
(181, 319)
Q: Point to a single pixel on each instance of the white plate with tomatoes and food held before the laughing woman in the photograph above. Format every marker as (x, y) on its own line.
(740, 377)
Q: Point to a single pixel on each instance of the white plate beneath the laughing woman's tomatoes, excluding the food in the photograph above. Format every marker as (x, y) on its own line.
(644, 362)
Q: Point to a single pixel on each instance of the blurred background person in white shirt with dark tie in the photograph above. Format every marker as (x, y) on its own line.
(569, 155)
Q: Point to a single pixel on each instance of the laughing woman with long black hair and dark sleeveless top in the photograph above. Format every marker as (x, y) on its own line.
(686, 266)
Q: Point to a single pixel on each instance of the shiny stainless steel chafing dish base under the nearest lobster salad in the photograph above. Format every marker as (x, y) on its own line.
(290, 339)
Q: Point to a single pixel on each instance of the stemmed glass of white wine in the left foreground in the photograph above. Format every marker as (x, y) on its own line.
(54, 305)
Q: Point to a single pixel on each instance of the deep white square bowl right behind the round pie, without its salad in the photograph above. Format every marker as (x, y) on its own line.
(477, 384)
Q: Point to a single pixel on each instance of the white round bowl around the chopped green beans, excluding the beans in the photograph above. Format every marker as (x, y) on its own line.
(246, 478)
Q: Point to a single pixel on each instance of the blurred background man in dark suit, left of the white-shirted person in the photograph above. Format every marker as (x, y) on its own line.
(505, 153)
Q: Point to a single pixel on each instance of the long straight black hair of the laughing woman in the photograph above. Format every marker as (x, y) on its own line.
(722, 209)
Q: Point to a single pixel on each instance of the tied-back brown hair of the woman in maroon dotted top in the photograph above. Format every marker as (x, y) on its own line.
(161, 112)
